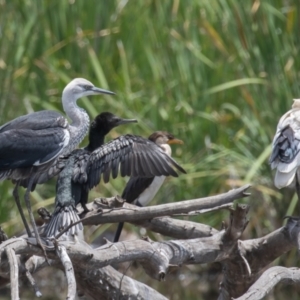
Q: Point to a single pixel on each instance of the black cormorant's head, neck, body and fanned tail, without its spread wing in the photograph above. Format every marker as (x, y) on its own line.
(77, 192)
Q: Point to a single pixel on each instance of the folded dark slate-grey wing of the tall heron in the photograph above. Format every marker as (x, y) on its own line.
(35, 138)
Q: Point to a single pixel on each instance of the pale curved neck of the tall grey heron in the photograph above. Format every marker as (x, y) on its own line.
(80, 120)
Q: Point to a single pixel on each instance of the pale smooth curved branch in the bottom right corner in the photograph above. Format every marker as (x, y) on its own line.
(268, 280)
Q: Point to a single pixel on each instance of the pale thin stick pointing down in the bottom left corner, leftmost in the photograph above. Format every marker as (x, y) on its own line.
(14, 273)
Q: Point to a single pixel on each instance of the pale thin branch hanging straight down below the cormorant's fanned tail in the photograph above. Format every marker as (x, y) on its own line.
(69, 271)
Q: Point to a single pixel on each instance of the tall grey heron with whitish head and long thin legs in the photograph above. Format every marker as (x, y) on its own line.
(30, 144)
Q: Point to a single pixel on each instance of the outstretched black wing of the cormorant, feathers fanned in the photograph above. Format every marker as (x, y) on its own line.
(134, 155)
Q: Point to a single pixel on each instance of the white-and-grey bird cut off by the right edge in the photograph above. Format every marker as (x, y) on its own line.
(285, 156)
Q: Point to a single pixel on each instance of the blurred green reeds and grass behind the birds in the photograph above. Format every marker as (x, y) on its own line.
(217, 74)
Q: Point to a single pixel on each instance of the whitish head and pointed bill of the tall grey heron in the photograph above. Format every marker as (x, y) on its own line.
(80, 87)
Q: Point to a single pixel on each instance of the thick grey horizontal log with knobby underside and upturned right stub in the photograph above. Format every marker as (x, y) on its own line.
(156, 257)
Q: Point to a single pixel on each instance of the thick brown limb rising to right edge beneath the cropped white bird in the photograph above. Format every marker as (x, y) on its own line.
(259, 253)
